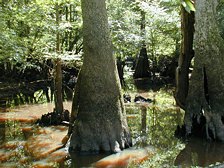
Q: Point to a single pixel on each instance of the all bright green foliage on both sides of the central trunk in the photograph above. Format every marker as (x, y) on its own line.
(28, 28)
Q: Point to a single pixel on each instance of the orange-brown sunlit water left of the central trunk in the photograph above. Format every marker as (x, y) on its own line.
(24, 144)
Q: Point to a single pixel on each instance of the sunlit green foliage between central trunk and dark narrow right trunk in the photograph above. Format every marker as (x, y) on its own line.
(162, 27)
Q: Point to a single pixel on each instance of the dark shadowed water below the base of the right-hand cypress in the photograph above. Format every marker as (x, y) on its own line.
(200, 153)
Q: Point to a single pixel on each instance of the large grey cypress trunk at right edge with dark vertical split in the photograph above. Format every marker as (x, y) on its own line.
(205, 100)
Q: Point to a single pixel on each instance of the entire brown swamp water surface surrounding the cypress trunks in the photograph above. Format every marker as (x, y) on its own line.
(24, 144)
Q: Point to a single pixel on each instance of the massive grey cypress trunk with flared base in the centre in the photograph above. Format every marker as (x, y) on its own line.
(97, 104)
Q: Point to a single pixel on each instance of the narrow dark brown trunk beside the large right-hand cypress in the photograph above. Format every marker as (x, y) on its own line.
(187, 53)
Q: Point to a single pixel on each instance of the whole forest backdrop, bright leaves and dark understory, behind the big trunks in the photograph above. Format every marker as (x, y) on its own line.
(36, 36)
